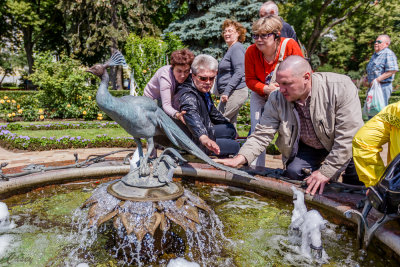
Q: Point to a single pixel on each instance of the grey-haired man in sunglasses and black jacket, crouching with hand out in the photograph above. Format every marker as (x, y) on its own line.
(207, 127)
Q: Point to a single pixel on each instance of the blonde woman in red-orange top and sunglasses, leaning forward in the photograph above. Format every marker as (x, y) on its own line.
(261, 59)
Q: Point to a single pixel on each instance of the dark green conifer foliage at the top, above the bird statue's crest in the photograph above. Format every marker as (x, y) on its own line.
(96, 26)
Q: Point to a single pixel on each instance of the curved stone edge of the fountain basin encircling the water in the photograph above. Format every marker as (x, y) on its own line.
(335, 203)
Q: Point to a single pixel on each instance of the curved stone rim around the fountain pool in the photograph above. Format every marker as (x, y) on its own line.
(195, 171)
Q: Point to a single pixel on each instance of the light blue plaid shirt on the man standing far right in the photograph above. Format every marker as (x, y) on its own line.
(381, 62)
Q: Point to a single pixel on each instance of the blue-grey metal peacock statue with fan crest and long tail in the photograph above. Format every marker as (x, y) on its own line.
(142, 118)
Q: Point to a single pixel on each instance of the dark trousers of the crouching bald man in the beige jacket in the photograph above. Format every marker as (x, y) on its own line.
(311, 158)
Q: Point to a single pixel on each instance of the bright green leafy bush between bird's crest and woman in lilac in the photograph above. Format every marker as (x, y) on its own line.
(147, 54)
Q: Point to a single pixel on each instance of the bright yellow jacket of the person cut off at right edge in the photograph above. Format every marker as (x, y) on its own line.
(367, 143)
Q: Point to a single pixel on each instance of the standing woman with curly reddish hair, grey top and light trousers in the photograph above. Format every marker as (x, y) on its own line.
(230, 80)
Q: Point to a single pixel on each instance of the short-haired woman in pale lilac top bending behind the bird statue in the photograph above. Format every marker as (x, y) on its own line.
(162, 85)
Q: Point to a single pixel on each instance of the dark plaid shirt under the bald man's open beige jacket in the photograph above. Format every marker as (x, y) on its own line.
(307, 132)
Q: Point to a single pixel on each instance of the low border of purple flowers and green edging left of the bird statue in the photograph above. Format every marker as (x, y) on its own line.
(11, 140)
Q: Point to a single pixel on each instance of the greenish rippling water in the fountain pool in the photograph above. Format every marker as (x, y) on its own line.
(255, 228)
